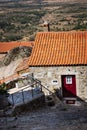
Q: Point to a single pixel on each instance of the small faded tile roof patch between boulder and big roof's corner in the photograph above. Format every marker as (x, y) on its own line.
(23, 65)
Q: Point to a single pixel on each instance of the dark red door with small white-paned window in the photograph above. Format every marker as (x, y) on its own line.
(69, 86)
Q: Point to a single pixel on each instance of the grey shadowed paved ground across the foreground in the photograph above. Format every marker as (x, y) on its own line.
(61, 117)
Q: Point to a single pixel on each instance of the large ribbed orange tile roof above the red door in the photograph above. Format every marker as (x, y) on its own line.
(59, 48)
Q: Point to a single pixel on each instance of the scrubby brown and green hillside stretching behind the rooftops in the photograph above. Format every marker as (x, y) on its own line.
(22, 19)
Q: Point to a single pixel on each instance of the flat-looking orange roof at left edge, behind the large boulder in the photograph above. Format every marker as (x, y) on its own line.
(7, 46)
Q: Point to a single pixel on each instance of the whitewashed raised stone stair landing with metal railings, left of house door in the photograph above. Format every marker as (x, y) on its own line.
(20, 97)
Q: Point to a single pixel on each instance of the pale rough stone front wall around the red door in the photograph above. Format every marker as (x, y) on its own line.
(51, 77)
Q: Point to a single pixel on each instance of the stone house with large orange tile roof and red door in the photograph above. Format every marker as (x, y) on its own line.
(59, 61)
